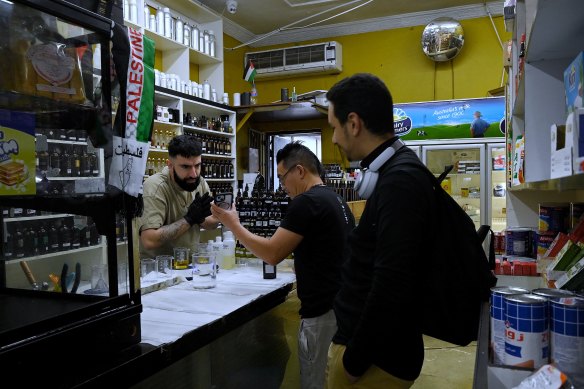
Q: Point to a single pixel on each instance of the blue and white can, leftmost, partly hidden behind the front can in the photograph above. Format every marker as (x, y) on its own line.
(498, 319)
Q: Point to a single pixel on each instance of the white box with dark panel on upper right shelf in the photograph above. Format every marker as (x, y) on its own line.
(562, 140)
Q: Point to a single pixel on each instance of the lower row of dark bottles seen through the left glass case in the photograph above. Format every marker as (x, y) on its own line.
(32, 238)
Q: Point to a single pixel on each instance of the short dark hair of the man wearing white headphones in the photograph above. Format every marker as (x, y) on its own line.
(367, 96)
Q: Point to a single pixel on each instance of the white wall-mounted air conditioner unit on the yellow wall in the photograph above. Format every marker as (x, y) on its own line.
(298, 60)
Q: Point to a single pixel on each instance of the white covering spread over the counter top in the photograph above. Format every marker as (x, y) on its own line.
(170, 313)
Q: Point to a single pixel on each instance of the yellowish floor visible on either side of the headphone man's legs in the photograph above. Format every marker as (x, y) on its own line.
(445, 366)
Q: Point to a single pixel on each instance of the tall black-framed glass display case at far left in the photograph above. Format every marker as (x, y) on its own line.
(68, 296)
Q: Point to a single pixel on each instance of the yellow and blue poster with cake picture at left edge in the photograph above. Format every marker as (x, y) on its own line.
(17, 153)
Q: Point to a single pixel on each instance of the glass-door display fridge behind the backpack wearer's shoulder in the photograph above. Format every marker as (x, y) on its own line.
(477, 178)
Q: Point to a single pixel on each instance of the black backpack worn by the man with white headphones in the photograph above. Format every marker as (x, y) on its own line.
(458, 277)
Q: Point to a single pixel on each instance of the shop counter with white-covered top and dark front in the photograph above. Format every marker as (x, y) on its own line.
(224, 337)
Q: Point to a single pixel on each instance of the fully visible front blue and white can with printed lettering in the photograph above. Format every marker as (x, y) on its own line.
(527, 331)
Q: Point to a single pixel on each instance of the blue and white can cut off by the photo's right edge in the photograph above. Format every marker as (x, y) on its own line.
(567, 337)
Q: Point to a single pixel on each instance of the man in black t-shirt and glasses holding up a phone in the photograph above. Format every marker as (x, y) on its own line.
(315, 228)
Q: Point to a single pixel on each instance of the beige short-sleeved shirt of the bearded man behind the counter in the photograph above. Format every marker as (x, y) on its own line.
(165, 203)
